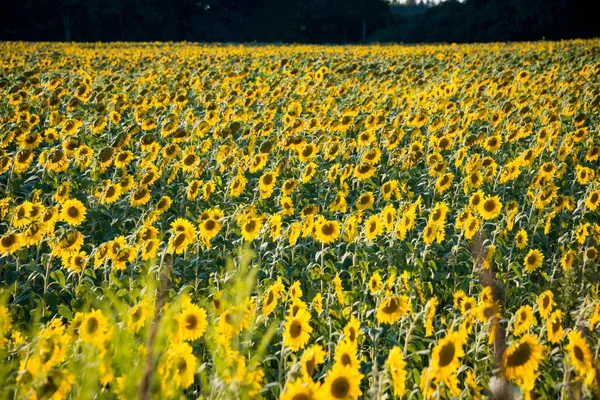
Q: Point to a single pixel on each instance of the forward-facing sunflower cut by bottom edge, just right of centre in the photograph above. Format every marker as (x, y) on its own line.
(342, 383)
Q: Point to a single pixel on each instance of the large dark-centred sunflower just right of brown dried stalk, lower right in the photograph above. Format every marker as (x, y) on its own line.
(521, 360)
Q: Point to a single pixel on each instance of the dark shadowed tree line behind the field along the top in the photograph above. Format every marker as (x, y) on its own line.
(300, 21)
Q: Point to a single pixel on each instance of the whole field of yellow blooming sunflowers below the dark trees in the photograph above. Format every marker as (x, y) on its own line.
(299, 222)
